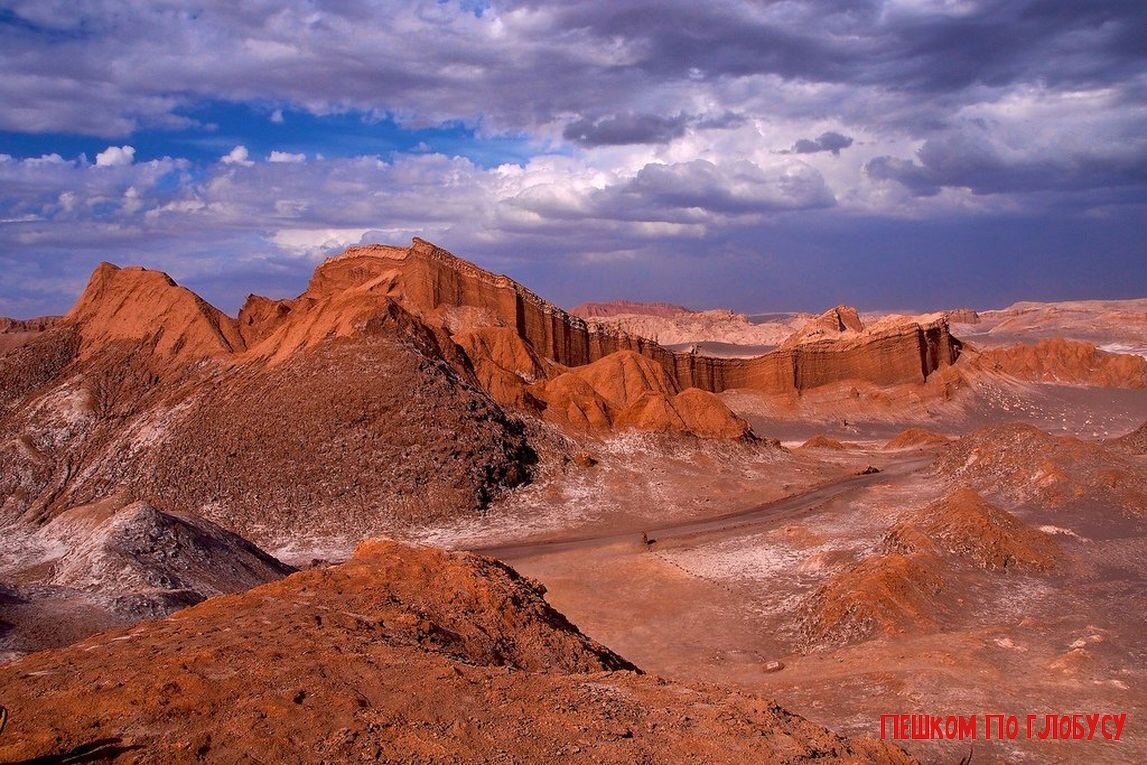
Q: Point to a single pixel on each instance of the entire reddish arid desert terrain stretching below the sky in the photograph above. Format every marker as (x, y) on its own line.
(420, 514)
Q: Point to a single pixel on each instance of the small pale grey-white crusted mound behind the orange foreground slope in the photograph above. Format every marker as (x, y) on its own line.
(115, 563)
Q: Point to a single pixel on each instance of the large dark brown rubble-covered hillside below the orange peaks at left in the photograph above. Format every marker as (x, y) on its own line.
(357, 436)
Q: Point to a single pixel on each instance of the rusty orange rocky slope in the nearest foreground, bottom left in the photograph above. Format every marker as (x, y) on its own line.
(400, 655)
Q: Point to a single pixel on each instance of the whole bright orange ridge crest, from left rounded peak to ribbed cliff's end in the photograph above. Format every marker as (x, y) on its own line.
(436, 287)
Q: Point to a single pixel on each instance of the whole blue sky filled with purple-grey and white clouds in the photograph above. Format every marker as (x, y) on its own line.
(762, 157)
